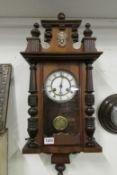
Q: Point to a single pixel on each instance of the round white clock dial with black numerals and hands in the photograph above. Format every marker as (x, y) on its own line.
(61, 86)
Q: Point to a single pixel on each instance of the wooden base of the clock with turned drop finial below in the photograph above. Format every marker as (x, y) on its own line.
(60, 154)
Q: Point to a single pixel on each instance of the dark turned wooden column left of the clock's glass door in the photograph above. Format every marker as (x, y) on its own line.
(32, 102)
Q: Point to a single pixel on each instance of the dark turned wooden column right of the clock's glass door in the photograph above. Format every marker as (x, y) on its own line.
(89, 102)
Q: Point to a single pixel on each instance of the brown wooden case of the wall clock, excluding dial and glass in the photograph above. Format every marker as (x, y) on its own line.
(55, 57)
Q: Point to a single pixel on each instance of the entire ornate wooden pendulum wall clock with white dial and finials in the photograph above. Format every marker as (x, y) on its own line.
(61, 95)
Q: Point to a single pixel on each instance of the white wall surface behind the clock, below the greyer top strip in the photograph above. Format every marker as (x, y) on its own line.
(13, 33)
